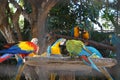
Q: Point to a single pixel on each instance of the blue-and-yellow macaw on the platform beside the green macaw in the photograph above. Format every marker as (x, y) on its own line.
(54, 49)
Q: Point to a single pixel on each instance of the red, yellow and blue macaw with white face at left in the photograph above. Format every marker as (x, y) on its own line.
(23, 47)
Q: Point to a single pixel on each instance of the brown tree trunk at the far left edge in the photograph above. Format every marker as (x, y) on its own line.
(4, 25)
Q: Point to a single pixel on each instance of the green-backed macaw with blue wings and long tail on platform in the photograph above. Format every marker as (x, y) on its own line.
(77, 48)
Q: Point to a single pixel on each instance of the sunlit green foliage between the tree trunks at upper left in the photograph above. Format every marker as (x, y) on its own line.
(23, 25)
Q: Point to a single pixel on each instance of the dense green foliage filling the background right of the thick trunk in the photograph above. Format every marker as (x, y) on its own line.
(83, 12)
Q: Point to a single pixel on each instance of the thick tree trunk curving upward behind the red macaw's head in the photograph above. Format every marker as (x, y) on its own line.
(41, 30)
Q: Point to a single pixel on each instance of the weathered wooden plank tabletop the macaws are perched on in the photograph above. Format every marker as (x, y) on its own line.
(67, 61)
